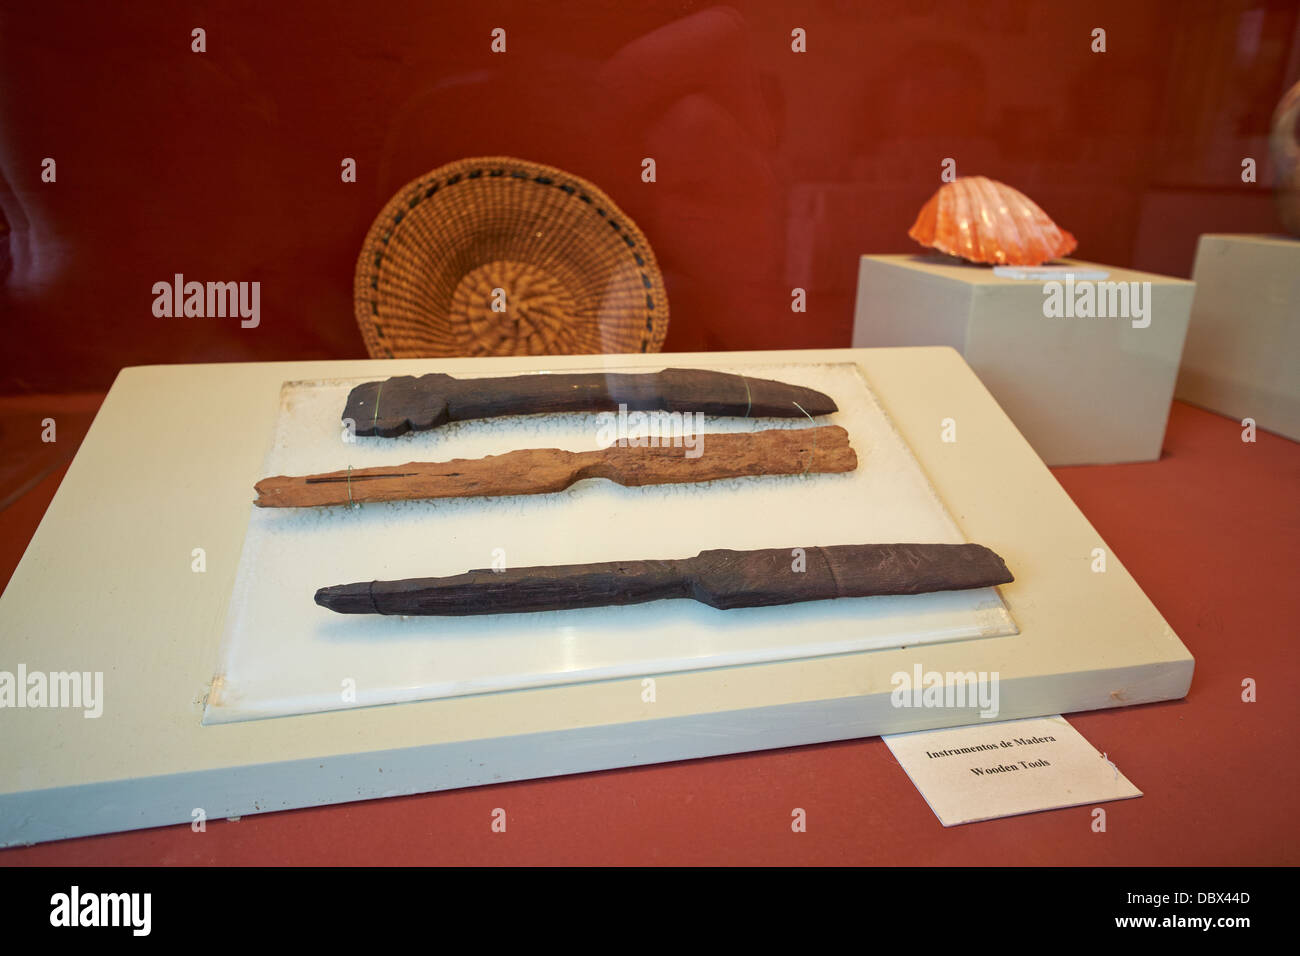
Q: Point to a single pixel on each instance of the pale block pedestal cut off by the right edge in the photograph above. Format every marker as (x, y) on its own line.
(1243, 349)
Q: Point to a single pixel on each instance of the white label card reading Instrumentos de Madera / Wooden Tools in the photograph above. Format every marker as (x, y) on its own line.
(989, 771)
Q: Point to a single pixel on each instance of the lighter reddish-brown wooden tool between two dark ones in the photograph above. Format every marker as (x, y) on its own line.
(538, 471)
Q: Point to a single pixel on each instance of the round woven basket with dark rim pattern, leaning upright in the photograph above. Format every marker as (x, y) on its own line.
(502, 257)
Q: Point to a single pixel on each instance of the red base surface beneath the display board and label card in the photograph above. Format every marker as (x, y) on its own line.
(1212, 533)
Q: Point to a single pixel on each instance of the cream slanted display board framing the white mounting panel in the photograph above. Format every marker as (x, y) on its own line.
(168, 468)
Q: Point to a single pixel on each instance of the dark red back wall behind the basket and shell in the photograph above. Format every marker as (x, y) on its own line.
(775, 170)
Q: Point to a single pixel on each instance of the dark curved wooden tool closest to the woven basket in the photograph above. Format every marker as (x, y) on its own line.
(409, 404)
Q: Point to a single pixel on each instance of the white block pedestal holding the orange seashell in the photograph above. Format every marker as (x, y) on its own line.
(1084, 391)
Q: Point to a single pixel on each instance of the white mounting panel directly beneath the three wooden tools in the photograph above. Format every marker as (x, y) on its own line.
(284, 655)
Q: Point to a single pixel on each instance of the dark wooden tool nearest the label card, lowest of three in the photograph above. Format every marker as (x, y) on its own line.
(721, 579)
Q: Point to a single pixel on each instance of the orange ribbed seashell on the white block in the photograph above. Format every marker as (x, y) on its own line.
(987, 222)
